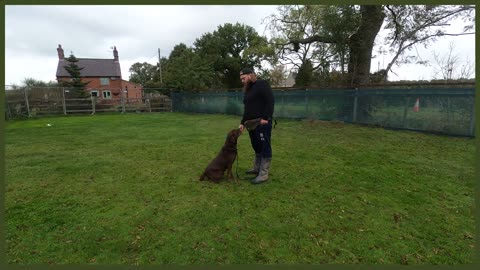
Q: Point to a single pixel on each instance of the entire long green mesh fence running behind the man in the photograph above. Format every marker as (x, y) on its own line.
(440, 110)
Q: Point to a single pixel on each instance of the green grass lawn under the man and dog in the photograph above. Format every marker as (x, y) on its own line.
(124, 189)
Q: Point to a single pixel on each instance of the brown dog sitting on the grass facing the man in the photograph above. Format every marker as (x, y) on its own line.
(224, 160)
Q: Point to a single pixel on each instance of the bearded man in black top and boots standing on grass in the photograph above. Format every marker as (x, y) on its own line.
(258, 104)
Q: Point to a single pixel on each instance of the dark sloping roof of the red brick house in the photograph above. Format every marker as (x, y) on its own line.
(92, 68)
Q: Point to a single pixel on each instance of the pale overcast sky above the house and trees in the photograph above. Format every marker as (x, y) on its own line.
(34, 32)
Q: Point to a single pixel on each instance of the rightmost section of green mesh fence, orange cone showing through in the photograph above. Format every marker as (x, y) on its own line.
(448, 111)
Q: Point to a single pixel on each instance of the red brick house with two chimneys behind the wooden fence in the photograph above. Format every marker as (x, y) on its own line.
(104, 78)
